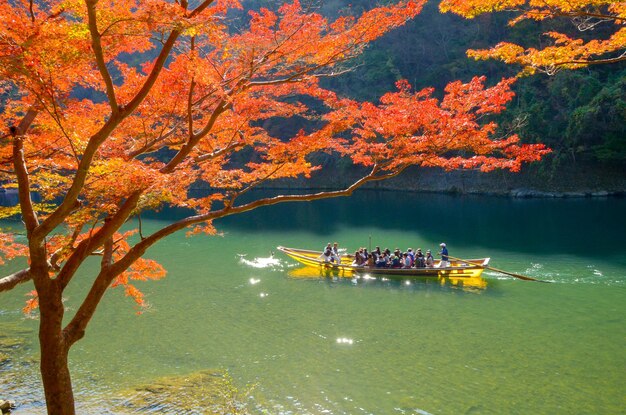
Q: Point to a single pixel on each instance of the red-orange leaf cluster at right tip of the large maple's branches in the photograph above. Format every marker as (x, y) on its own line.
(449, 134)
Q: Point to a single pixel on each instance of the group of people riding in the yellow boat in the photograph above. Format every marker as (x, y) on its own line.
(386, 259)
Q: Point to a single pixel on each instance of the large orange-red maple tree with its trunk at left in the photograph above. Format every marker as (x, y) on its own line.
(193, 110)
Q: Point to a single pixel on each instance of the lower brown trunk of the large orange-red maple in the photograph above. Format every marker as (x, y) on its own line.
(55, 373)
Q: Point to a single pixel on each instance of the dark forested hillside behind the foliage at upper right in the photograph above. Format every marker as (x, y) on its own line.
(580, 114)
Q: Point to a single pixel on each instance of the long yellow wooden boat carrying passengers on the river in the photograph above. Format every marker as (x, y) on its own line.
(457, 269)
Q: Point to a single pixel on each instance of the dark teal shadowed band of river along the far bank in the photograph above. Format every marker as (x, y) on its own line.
(583, 226)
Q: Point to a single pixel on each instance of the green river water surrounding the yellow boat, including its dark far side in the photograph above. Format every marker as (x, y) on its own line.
(353, 346)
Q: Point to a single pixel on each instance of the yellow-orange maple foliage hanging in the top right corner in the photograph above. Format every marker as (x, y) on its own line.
(565, 52)
